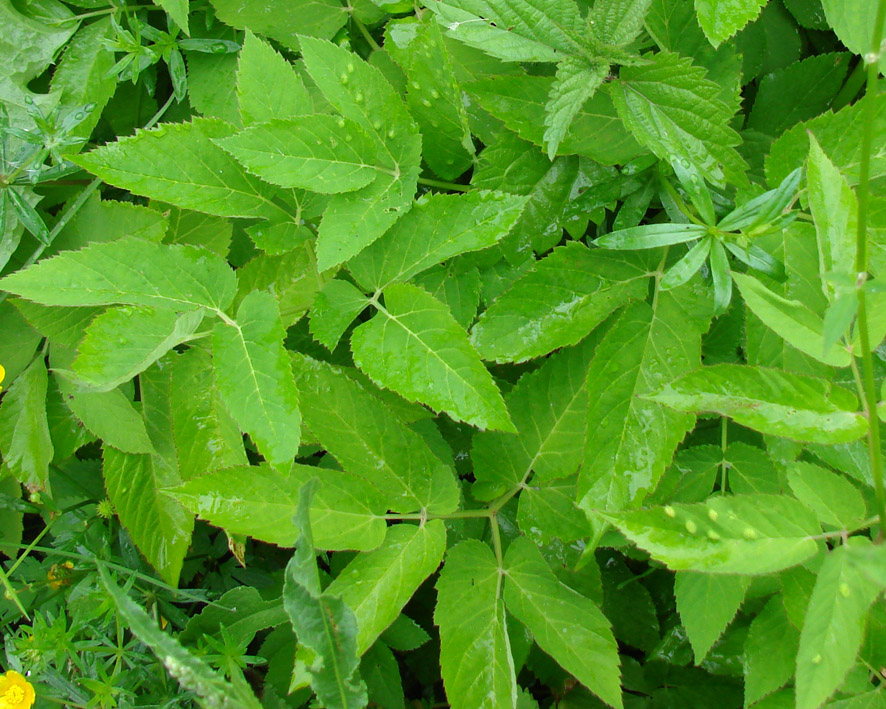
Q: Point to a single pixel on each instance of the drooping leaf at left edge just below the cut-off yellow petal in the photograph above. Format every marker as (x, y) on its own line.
(24, 429)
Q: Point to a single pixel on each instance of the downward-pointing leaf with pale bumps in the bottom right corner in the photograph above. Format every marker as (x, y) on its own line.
(834, 626)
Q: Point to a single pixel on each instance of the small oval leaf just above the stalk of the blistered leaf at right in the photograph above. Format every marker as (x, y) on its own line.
(835, 500)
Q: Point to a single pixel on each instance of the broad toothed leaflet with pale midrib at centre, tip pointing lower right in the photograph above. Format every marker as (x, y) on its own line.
(415, 347)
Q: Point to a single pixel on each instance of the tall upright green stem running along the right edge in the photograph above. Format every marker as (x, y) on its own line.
(861, 266)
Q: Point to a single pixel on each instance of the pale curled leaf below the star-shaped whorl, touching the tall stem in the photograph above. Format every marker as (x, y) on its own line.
(791, 319)
